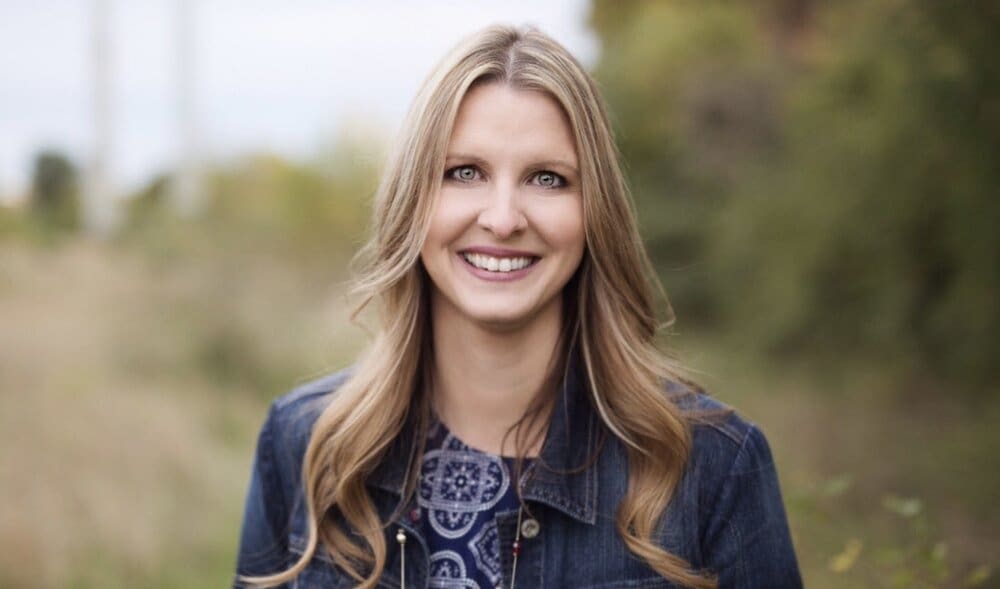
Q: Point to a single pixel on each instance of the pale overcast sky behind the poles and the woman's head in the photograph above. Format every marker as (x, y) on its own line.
(270, 75)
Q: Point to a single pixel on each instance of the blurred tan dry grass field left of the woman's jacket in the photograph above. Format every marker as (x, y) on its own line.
(123, 464)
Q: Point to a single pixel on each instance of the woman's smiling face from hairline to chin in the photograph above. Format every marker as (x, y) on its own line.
(507, 229)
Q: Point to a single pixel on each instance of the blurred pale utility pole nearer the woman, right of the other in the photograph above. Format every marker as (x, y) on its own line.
(186, 193)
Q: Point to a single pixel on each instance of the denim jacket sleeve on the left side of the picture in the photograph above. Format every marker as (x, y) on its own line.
(263, 547)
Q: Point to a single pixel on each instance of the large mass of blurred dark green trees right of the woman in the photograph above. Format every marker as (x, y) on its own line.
(819, 180)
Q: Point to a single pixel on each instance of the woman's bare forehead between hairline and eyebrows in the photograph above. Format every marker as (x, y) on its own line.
(495, 119)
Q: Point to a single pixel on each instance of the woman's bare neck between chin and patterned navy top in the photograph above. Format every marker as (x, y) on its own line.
(486, 379)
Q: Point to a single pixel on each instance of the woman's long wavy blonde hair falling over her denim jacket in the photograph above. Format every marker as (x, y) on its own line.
(610, 316)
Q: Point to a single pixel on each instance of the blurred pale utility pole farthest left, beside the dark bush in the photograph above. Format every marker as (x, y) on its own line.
(99, 204)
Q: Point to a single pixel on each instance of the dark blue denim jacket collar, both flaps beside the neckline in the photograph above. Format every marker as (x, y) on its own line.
(559, 478)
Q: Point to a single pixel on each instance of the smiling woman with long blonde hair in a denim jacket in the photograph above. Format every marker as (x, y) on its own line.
(512, 424)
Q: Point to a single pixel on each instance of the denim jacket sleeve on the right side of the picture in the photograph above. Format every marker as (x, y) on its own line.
(747, 542)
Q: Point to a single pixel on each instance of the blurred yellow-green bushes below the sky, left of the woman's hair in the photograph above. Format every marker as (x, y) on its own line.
(265, 206)
